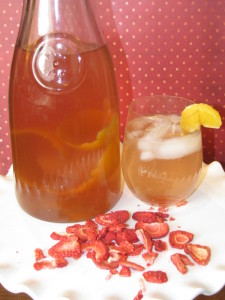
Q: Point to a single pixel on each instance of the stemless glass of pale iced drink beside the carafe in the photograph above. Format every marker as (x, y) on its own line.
(161, 163)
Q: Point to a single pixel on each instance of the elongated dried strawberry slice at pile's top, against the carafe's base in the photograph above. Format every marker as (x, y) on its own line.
(112, 218)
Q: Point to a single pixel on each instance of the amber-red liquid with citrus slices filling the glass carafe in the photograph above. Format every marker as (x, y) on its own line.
(65, 142)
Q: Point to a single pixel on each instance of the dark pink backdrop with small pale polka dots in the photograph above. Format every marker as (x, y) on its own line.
(157, 46)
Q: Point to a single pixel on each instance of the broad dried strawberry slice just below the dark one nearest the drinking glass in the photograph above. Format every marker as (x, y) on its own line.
(155, 230)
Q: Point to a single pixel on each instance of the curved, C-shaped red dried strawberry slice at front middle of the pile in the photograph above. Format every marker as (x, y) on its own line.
(100, 249)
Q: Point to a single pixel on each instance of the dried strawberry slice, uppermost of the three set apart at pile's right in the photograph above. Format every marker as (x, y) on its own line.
(179, 238)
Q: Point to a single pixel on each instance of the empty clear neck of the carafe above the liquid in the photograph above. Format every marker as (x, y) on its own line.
(73, 18)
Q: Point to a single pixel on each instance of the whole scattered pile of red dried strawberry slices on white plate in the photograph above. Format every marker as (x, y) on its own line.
(109, 243)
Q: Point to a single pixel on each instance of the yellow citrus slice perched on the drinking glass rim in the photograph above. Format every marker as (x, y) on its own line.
(195, 115)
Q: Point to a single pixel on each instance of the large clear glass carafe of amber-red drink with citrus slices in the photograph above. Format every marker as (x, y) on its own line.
(64, 120)
